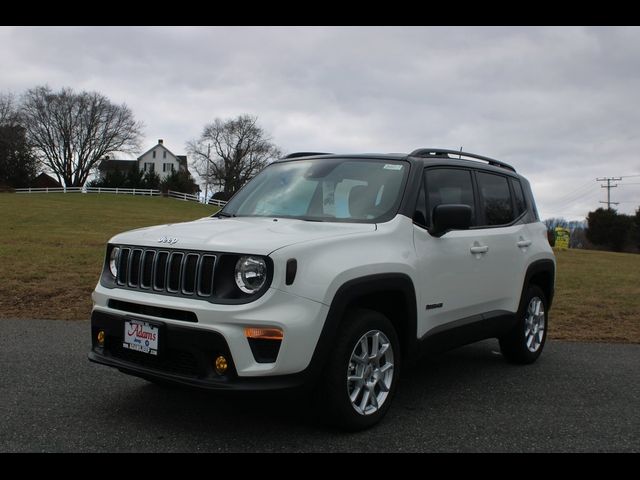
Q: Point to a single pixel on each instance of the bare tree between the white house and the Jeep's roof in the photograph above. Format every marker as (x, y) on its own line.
(230, 152)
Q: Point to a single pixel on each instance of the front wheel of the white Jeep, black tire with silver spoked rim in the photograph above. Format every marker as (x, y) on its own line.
(340, 379)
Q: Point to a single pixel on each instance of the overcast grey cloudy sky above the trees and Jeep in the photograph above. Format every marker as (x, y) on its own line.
(560, 104)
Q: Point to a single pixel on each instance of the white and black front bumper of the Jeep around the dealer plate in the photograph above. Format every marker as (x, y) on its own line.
(218, 329)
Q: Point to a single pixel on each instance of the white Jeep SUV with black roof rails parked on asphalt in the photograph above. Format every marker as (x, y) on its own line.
(334, 271)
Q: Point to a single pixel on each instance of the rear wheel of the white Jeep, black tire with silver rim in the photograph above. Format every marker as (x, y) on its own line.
(524, 343)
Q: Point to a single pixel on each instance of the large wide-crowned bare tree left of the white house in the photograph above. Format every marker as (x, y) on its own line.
(72, 131)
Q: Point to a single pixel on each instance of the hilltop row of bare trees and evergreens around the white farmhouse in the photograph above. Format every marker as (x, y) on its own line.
(68, 133)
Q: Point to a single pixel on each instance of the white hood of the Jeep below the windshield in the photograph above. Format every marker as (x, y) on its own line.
(256, 235)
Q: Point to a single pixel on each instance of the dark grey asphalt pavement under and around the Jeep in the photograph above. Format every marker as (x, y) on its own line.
(577, 397)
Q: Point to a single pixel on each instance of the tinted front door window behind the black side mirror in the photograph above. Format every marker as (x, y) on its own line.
(448, 185)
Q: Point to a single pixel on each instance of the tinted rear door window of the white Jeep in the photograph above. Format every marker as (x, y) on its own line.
(495, 199)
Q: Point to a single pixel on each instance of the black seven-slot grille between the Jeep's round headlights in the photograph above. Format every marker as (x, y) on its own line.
(177, 272)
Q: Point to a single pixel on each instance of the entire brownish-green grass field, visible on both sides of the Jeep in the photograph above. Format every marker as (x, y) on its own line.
(52, 247)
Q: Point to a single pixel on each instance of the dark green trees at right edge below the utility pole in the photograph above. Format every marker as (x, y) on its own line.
(604, 229)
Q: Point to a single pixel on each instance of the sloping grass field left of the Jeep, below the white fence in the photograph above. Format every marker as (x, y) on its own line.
(52, 246)
